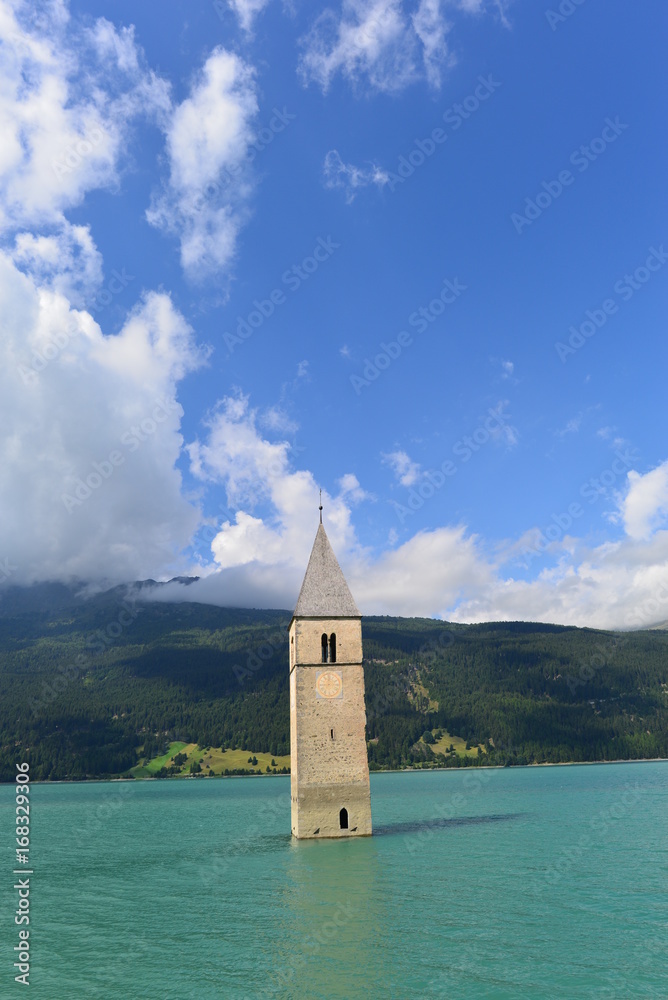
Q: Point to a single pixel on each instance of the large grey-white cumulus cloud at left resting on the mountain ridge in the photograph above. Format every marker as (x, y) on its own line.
(89, 487)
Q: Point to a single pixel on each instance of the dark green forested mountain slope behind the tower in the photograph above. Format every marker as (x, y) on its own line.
(85, 683)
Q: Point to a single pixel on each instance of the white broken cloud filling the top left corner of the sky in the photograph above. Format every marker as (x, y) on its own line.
(68, 96)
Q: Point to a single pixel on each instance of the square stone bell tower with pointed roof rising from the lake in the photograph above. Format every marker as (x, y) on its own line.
(329, 768)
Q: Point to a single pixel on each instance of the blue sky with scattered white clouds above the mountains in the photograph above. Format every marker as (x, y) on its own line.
(408, 253)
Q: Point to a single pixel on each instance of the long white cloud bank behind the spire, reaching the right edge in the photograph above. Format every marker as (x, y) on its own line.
(448, 572)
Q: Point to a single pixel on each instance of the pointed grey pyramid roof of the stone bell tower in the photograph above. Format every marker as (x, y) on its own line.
(324, 592)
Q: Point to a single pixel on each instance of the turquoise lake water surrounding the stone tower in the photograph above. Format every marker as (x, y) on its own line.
(547, 882)
